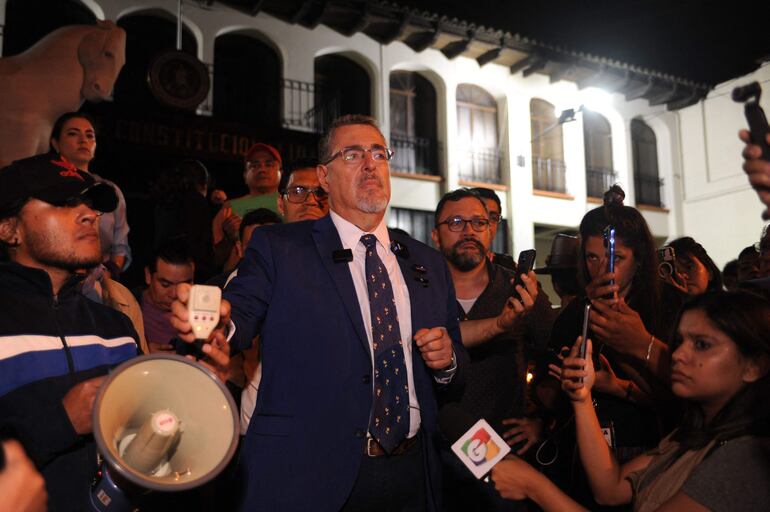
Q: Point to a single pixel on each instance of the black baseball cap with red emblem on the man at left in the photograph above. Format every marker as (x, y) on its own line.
(55, 180)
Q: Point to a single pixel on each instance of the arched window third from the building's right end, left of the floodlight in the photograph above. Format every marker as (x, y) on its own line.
(548, 169)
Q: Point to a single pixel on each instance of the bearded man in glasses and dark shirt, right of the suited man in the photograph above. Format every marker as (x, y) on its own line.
(495, 329)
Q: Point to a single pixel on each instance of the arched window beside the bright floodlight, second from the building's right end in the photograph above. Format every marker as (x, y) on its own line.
(597, 135)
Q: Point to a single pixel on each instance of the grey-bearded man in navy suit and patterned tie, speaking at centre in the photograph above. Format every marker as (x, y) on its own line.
(359, 330)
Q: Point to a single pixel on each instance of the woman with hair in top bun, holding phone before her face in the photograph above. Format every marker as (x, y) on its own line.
(632, 315)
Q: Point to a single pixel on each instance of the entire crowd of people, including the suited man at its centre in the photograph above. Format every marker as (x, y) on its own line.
(350, 348)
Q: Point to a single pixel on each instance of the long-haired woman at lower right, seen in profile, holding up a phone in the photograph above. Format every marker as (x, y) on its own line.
(719, 456)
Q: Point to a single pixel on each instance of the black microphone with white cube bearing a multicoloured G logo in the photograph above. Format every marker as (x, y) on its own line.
(475, 443)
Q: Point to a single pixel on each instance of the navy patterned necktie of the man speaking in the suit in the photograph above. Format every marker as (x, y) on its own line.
(390, 418)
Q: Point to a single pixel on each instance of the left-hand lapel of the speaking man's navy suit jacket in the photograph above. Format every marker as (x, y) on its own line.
(327, 241)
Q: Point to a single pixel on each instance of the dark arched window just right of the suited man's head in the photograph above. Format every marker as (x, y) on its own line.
(413, 124)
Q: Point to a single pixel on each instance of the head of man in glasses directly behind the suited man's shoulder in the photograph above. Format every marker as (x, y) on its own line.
(301, 195)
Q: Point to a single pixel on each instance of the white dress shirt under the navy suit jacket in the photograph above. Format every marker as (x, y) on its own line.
(350, 235)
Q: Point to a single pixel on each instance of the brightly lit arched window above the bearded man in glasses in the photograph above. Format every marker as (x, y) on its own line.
(477, 135)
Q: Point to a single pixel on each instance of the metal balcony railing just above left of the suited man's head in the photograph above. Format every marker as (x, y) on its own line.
(306, 107)
